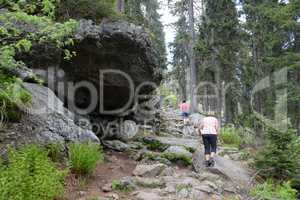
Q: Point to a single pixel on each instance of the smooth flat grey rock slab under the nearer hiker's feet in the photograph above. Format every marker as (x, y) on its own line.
(225, 168)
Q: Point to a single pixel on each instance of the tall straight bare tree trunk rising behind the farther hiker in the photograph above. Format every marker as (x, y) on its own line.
(192, 66)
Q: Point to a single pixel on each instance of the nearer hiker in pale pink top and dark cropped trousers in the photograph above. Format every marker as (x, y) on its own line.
(209, 129)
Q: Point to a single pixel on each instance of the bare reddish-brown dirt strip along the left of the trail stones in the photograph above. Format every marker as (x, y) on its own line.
(115, 166)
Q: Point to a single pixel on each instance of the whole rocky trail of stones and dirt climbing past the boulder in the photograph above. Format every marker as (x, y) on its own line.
(168, 166)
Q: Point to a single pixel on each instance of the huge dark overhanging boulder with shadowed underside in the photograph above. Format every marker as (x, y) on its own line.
(121, 51)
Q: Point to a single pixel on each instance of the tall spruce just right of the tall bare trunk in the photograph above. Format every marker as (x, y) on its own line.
(218, 44)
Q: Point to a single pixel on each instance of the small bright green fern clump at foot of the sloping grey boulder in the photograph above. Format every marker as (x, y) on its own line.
(84, 157)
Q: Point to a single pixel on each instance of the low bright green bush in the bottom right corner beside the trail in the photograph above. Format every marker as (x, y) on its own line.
(269, 190)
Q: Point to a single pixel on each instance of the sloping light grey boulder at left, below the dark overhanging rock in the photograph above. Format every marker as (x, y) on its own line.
(47, 121)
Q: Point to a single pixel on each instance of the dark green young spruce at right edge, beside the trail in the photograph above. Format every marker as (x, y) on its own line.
(280, 158)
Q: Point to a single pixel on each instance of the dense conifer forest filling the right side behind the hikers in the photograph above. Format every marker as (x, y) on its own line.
(239, 43)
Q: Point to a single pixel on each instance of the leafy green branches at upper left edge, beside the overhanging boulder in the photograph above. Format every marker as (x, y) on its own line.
(16, 41)
